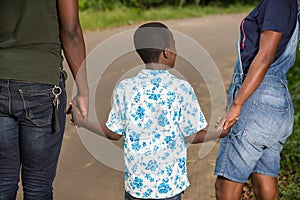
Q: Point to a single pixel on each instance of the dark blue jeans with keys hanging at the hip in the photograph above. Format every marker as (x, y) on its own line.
(27, 138)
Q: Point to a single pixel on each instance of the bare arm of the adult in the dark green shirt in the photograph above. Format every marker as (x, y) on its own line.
(74, 50)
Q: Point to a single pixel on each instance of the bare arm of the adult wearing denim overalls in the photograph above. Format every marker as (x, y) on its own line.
(269, 42)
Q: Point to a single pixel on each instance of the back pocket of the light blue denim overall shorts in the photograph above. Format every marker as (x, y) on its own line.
(268, 119)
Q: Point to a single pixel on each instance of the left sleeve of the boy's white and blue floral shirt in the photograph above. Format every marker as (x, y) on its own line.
(116, 118)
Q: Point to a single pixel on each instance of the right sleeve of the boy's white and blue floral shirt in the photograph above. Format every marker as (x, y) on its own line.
(192, 119)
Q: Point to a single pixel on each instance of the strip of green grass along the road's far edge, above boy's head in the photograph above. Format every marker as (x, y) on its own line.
(96, 19)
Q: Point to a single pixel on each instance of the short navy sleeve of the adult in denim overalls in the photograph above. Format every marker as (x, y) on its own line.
(276, 16)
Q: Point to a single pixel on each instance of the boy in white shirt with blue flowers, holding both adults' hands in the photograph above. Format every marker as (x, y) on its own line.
(157, 114)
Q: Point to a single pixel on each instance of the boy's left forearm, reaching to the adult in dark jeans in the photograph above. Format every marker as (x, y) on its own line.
(99, 129)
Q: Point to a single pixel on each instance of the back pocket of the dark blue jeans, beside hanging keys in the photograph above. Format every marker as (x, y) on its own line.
(38, 104)
